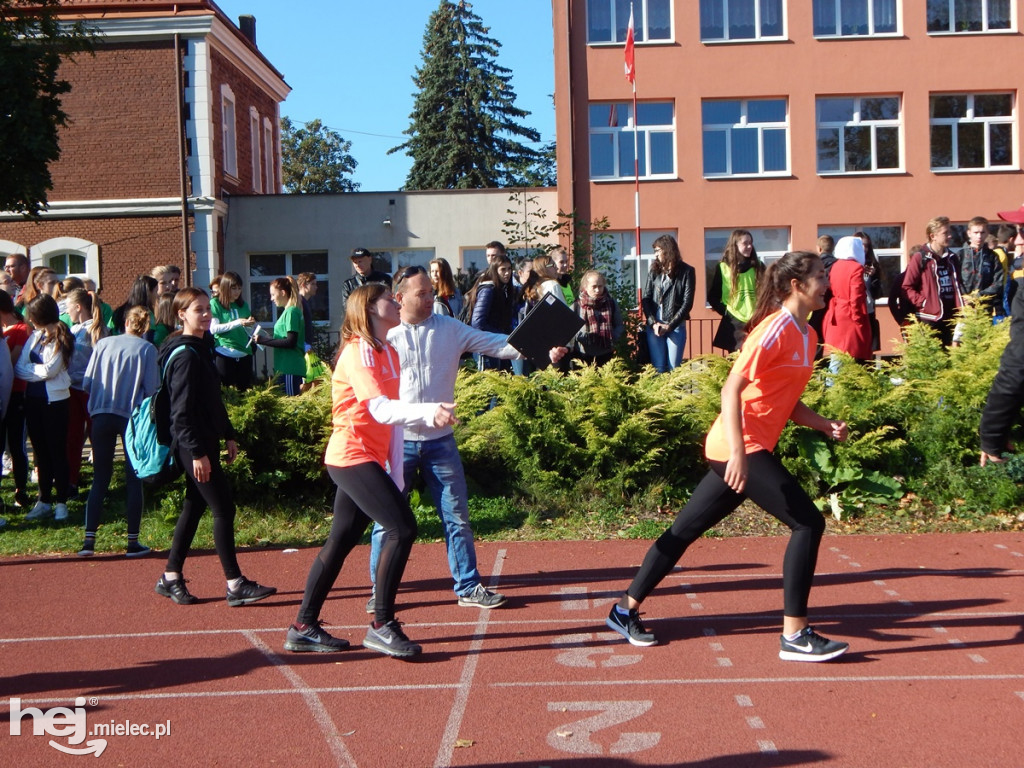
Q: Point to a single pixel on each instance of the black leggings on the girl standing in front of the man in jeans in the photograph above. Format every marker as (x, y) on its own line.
(365, 493)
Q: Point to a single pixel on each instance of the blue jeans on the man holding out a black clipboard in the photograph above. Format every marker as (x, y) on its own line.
(442, 467)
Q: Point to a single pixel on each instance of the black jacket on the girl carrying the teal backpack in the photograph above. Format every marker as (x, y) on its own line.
(199, 419)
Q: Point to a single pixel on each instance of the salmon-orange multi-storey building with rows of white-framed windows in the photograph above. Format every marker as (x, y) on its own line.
(788, 118)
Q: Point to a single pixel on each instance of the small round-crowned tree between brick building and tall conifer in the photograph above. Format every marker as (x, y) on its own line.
(315, 159)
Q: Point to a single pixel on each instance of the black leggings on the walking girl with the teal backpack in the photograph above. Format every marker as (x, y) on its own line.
(217, 494)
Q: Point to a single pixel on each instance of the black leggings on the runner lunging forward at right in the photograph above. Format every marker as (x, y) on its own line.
(771, 487)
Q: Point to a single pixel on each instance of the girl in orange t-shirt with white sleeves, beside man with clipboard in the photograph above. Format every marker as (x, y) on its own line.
(366, 443)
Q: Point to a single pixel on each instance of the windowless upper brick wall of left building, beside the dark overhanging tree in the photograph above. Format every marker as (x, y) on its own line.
(122, 138)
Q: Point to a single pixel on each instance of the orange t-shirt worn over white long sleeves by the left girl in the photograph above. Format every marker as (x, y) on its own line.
(362, 374)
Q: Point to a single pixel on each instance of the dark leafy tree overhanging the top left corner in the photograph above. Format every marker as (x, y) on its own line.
(33, 45)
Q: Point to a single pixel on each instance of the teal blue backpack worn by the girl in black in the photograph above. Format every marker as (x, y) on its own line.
(148, 436)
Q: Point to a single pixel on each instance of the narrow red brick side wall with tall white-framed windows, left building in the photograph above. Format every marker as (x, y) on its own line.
(246, 95)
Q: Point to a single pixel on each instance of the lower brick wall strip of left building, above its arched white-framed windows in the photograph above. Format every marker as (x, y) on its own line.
(129, 247)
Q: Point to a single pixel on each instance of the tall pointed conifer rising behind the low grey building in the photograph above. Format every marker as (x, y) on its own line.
(464, 122)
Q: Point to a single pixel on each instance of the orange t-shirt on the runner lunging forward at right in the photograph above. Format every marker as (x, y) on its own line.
(778, 360)
